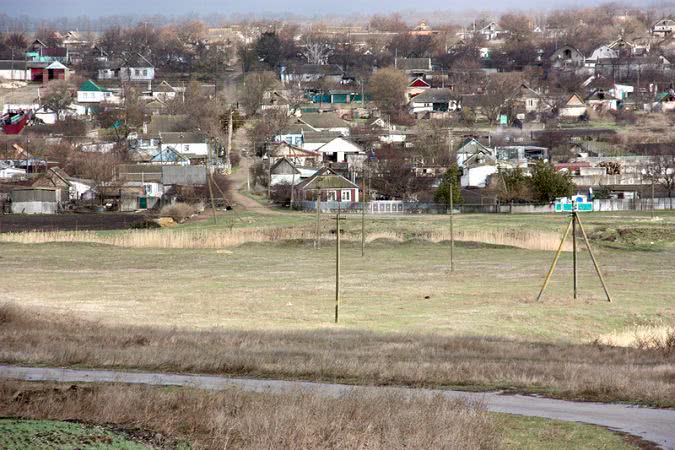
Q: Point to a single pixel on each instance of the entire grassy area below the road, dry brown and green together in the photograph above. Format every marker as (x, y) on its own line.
(235, 419)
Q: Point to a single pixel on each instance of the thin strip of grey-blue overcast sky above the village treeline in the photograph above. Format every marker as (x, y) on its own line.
(95, 8)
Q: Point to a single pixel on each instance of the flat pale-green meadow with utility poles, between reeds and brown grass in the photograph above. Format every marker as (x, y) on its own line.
(291, 286)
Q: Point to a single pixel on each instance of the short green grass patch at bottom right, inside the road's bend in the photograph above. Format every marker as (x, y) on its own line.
(533, 433)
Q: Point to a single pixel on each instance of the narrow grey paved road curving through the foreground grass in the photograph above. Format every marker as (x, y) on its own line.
(655, 425)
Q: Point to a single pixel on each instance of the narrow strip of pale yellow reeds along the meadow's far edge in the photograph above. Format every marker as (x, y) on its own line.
(216, 239)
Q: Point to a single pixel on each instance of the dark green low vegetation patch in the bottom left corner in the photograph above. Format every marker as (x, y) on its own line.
(18, 434)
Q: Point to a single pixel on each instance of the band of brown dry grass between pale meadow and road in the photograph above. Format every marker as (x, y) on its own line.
(589, 372)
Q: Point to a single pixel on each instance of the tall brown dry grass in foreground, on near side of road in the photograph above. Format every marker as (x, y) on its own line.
(235, 419)
